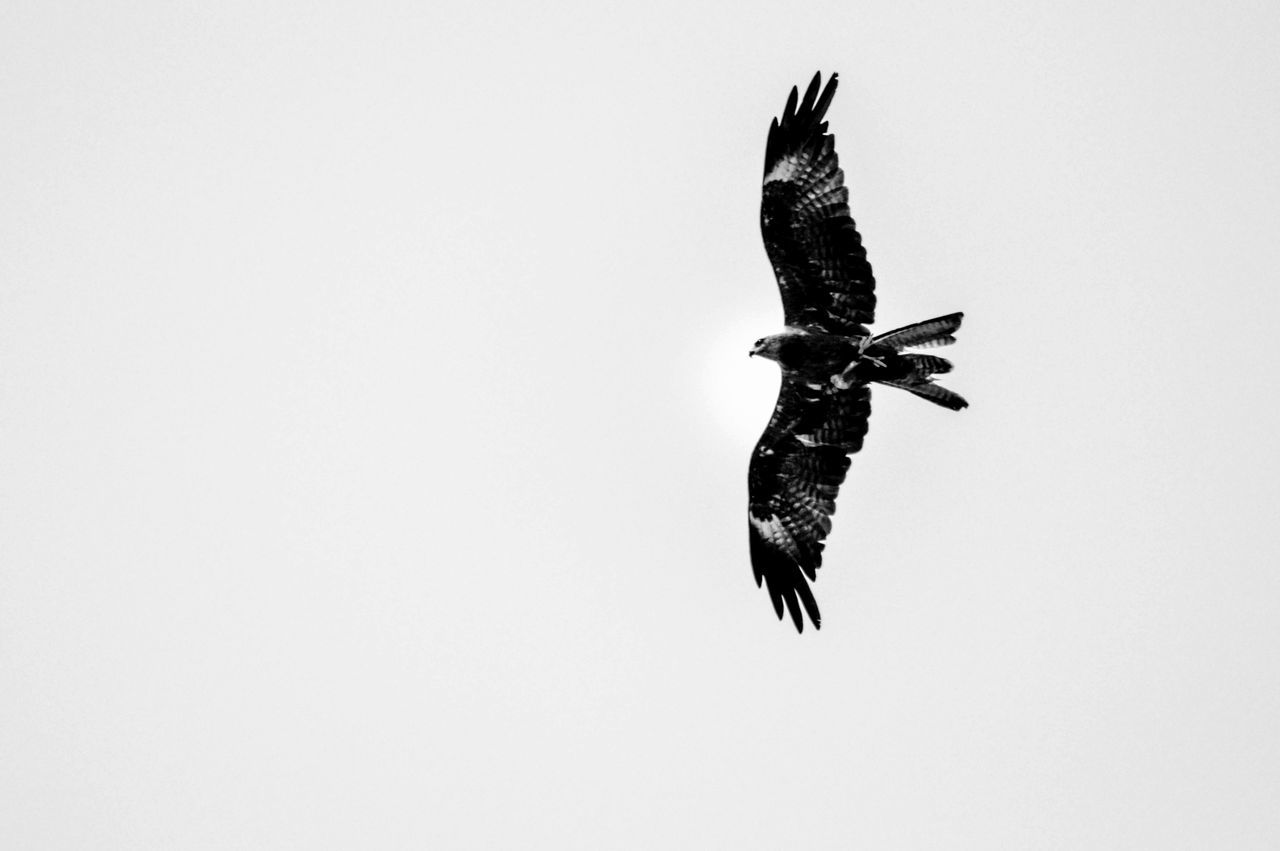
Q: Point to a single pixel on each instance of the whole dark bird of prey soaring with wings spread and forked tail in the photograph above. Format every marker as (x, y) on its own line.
(829, 358)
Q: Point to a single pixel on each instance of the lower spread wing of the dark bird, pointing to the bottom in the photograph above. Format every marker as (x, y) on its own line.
(796, 475)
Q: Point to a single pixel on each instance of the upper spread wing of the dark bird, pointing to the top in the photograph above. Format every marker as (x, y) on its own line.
(813, 245)
